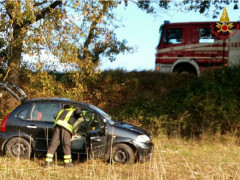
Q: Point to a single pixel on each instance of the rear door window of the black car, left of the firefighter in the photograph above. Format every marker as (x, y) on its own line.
(44, 111)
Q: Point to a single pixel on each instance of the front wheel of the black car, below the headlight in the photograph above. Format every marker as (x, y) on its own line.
(123, 153)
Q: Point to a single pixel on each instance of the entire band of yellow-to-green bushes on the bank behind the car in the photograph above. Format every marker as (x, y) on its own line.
(177, 105)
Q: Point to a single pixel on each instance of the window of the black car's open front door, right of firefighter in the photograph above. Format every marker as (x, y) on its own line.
(93, 120)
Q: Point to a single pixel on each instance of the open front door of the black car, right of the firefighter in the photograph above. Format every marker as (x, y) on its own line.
(95, 133)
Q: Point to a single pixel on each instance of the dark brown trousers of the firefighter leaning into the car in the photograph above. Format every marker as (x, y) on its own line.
(62, 135)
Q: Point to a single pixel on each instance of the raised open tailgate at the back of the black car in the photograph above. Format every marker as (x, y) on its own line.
(14, 90)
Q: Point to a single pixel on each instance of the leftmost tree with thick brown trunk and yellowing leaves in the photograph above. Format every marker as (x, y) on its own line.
(17, 20)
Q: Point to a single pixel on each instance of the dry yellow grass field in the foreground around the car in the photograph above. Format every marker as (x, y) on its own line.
(173, 159)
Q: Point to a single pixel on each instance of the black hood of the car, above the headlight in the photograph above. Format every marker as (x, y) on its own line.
(130, 128)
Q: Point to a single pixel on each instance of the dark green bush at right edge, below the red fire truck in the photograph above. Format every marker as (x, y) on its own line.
(213, 102)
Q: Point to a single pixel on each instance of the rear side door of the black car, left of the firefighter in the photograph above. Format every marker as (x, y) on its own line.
(39, 121)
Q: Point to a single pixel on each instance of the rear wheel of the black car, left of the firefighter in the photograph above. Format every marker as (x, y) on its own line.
(18, 147)
